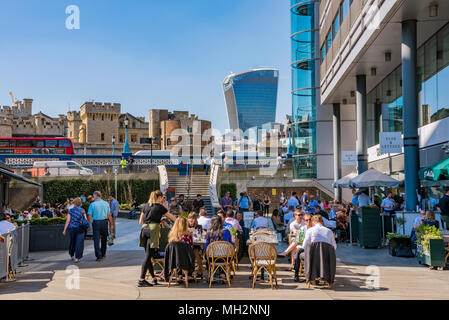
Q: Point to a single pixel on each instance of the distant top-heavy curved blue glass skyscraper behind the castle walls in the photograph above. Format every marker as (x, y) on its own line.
(251, 98)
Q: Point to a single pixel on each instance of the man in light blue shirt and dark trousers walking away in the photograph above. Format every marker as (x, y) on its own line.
(99, 214)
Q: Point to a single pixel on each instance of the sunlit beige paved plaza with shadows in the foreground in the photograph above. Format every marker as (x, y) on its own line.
(45, 277)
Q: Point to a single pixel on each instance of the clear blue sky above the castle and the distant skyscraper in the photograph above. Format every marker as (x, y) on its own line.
(141, 53)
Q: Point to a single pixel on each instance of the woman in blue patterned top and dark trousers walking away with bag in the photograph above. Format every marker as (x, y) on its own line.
(77, 225)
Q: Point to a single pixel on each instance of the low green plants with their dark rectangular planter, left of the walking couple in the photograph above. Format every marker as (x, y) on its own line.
(46, 234)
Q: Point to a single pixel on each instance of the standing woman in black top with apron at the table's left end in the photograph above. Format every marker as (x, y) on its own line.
(150, 219)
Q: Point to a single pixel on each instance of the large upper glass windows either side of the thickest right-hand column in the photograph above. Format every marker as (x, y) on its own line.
(385, 100)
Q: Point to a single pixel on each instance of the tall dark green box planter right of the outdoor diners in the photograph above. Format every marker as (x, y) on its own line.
(370, 227)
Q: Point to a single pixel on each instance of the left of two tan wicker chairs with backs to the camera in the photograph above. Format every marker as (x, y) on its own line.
(220, 255)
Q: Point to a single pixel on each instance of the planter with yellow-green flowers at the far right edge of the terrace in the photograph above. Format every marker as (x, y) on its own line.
(430, 246)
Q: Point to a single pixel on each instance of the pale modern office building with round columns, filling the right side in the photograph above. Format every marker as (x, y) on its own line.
(383, 67)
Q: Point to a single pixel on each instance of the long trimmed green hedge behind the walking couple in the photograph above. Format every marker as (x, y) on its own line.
(60, 190)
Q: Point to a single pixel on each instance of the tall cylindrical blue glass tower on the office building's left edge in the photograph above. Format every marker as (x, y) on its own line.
(304, 59)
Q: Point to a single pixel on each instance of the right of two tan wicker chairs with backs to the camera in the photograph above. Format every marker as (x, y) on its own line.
(263, 256)
